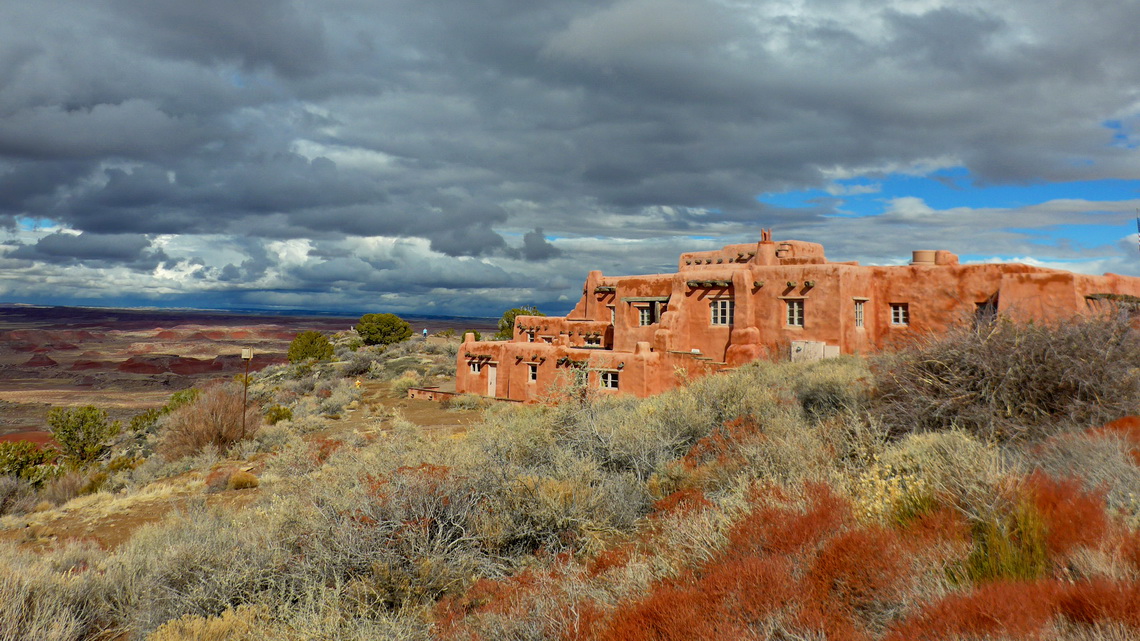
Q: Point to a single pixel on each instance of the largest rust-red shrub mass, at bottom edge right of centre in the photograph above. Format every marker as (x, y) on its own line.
(812, 569)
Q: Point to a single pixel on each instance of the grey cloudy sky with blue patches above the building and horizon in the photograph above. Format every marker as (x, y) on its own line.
(466, 157)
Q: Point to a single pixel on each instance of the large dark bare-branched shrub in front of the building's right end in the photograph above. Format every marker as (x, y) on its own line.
(1008, 382)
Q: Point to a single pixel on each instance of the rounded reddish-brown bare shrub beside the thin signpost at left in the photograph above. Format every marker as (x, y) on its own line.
(216, 418)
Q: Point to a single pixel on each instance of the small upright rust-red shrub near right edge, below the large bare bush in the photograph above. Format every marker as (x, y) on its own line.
(1072, 516)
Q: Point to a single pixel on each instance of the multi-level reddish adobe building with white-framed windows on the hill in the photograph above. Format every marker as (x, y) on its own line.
(646, 335)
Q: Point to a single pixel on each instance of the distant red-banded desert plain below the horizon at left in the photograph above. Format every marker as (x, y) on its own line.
(127, 361)
